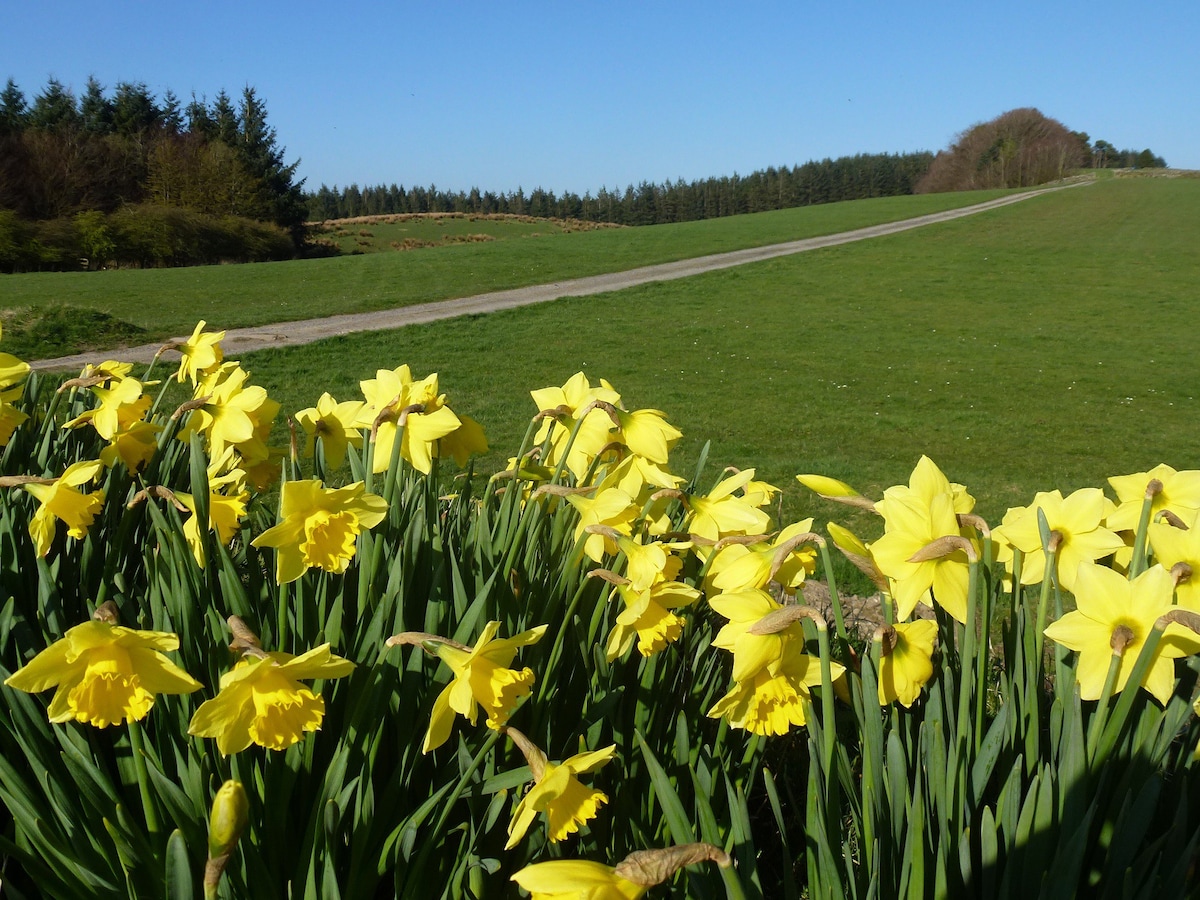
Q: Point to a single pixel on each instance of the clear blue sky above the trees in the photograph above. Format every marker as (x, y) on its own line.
(575, 95)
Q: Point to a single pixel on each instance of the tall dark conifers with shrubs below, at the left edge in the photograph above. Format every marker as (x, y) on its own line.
(127, 178)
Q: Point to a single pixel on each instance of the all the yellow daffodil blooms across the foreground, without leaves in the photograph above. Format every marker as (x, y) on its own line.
(668, 554)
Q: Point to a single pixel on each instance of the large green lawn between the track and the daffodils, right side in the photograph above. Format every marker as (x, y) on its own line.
(1039, 346)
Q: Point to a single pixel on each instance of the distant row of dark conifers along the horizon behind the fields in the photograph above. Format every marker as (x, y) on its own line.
(848, 178)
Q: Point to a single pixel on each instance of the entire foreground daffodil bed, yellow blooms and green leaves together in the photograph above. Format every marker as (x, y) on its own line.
(346, 668)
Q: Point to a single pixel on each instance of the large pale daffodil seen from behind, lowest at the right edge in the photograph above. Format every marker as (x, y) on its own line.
(1112, 611)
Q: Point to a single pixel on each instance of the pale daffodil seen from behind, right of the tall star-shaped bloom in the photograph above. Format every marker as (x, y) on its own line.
(1077, 519)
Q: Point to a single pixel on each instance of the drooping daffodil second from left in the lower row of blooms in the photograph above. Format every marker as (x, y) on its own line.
(263, 703)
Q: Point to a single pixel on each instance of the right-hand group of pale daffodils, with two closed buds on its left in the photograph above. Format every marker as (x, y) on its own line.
(1129, 563)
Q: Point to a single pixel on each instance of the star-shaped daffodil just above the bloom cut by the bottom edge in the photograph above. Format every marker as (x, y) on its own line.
(557, 793)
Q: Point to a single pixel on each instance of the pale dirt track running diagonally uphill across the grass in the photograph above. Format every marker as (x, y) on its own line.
(290, 334)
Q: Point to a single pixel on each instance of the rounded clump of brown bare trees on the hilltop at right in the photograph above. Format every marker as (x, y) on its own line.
(1023, 148)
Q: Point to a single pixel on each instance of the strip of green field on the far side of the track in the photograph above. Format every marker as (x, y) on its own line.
(169, 302)
